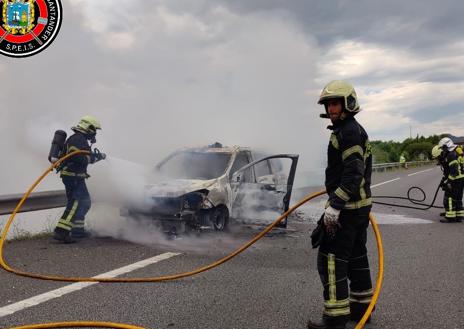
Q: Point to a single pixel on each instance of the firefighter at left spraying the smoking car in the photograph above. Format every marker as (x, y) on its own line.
(73, 174)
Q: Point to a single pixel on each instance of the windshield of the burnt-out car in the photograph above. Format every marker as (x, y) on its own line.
(195, 165)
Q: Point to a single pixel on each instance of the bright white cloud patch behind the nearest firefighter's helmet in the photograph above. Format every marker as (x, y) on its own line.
(394, 85)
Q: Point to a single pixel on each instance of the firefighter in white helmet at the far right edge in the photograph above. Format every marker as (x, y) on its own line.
(452, 182)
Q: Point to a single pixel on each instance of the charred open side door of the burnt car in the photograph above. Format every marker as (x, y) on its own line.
(261, 190)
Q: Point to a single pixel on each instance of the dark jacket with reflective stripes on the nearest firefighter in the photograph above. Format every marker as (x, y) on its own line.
(349, 167)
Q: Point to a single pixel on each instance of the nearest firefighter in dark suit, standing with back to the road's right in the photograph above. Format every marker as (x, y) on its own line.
(342, 254)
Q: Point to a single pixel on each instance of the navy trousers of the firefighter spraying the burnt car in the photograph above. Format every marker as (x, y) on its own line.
(77, 206)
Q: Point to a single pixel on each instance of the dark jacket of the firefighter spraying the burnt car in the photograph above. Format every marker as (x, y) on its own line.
(76, 166)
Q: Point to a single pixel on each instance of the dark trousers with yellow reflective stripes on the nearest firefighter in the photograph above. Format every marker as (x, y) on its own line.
(343, 258)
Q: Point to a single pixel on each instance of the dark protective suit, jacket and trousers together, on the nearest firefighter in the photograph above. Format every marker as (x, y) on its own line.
(343, 257)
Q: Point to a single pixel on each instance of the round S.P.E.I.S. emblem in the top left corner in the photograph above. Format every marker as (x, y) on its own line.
(28, 26)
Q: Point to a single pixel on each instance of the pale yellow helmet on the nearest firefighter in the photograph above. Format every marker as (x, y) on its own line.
(341, 89)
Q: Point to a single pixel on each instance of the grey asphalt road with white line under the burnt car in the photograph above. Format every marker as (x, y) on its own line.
(274, 284)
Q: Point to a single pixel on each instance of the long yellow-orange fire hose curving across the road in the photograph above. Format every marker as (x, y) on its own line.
(6, 267)
